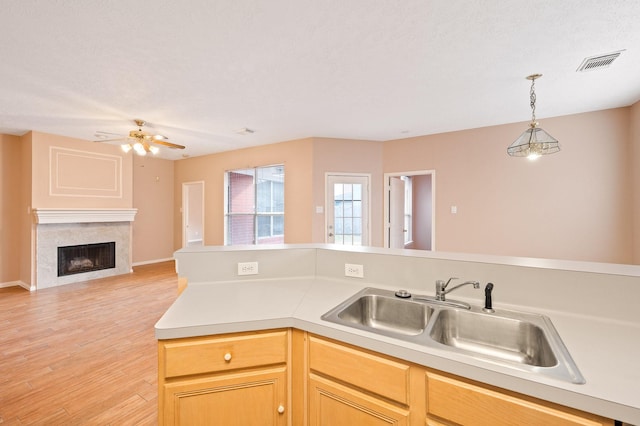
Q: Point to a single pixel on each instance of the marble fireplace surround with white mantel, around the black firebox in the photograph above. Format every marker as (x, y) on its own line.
(67, 227)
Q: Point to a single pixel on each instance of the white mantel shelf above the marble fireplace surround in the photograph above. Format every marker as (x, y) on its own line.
(49, 215)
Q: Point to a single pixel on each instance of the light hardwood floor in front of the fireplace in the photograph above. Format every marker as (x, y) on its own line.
(85, 353)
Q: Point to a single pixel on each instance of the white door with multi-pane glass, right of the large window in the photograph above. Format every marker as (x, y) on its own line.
(347, 209)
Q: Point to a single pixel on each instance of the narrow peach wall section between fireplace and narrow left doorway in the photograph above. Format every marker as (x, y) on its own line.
(153, 197)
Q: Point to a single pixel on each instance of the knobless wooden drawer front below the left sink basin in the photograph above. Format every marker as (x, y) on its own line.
(372, 373)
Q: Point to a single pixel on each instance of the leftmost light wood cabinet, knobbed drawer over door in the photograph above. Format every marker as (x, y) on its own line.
(236, 380)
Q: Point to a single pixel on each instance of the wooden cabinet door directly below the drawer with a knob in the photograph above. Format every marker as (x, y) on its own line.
(242, 399)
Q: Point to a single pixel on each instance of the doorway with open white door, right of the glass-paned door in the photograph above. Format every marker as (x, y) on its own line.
(409, 210)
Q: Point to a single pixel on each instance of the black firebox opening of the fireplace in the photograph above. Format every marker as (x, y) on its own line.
(86, 258)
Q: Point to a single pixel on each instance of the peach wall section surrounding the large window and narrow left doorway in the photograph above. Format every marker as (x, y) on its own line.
(297, 159)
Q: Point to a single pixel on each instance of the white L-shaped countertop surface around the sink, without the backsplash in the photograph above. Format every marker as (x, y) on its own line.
(605, 351)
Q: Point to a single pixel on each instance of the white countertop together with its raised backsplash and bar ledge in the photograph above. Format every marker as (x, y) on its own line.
(296, 285)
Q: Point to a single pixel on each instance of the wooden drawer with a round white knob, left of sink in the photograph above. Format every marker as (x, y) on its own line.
(229, 352)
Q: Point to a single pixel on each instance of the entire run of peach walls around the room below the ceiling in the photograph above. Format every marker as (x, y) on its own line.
(563, 199)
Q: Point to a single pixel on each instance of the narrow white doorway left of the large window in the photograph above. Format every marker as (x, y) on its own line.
(193, 214)
